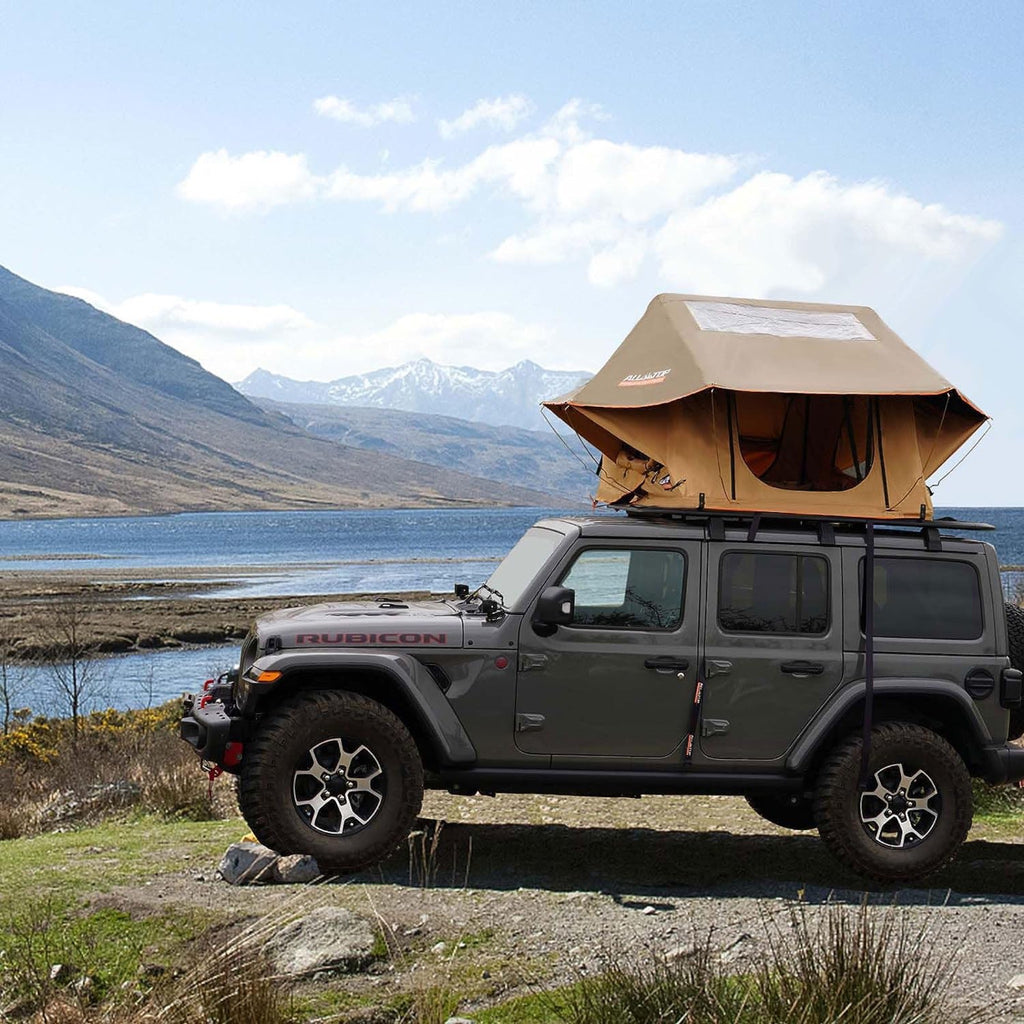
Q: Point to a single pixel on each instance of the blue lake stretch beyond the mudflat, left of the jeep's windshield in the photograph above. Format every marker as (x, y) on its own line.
(304, 552)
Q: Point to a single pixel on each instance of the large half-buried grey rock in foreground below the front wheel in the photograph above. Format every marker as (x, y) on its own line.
(326, 940)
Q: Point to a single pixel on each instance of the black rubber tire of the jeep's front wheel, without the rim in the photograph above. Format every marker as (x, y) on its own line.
(277, 752)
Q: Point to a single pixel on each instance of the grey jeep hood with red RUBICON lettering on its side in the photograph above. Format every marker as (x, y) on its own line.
(364, 624)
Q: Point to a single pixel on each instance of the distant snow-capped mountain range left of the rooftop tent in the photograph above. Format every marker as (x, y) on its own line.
(506, 398)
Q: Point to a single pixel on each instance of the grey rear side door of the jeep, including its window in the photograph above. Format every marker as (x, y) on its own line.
(774, 647)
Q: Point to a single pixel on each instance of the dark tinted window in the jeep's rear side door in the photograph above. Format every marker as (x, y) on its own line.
(764, 592)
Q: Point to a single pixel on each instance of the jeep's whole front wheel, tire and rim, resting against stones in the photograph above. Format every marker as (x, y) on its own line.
(333, 775)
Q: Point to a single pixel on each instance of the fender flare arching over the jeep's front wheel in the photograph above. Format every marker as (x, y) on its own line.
(434, 712)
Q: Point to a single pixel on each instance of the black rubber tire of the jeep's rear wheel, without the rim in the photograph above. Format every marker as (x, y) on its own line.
(838, 803)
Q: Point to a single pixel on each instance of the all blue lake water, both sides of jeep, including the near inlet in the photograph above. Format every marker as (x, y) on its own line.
(309, 553)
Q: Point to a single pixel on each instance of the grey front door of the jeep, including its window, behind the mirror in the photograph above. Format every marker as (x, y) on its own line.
(619, 681)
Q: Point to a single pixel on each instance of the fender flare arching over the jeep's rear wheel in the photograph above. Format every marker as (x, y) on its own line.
(807, 747)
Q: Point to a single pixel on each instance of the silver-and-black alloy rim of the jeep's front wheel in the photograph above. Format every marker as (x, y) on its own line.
(339, 787)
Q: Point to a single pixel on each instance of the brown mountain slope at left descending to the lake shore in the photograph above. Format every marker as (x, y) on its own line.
(102, 418)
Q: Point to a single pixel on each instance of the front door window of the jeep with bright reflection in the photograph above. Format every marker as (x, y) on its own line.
(635, 589)
